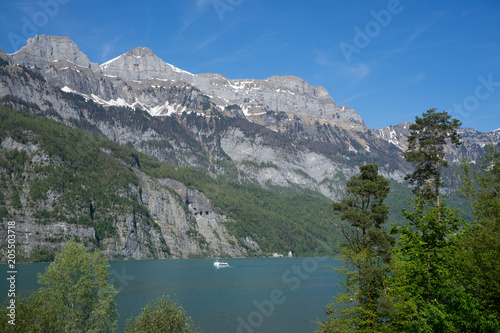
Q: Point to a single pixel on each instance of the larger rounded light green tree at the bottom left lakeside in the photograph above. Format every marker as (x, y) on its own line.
(76, 287)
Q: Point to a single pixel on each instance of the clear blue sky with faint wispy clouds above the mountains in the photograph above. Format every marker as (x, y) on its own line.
(389, 60)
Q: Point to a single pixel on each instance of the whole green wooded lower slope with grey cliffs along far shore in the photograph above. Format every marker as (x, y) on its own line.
(59, 183)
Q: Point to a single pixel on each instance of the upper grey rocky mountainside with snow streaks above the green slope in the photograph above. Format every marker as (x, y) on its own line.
(318, 133)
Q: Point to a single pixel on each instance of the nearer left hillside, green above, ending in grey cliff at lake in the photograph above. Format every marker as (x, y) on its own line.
(59, 183)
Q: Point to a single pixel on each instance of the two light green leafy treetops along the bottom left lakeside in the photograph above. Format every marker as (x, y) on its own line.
(76, 296)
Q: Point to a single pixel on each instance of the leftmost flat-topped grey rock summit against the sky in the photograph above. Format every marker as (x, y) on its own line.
(41, 48)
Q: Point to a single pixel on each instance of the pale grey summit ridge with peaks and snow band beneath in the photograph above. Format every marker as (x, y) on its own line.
(288, 96)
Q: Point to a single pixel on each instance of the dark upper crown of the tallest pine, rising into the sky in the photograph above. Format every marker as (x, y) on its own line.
(428, 137)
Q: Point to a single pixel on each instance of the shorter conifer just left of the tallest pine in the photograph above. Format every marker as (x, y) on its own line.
(366, 253)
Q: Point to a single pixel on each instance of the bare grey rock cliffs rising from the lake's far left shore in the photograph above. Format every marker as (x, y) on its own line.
(184, 221)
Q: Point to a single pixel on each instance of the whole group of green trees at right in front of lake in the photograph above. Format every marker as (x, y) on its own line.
(438, 273)
